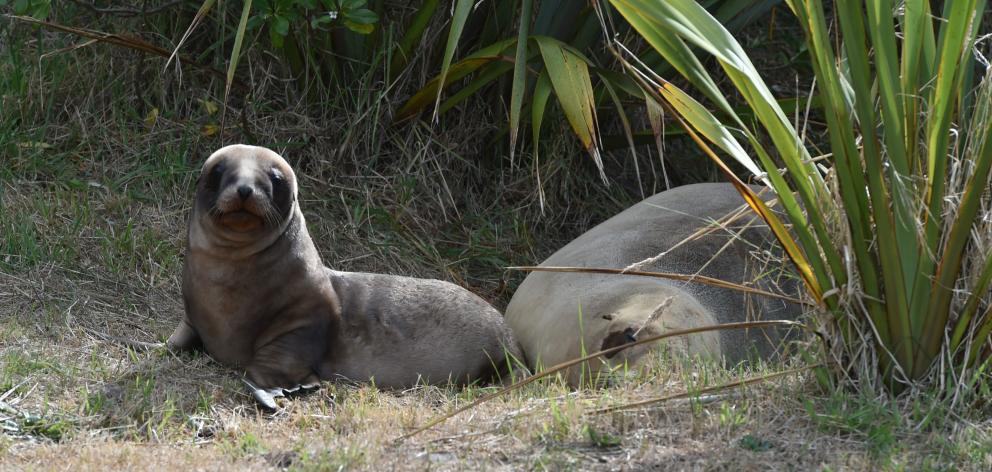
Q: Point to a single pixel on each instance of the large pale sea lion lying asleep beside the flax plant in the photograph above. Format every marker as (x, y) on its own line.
(560, 316)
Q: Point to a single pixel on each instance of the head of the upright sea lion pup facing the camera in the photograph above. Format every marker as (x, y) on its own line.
(245, 196)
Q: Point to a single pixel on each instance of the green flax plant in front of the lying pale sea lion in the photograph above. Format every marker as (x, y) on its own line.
(890, 233)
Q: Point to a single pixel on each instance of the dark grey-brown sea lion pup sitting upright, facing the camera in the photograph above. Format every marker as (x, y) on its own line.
(258, 297)
